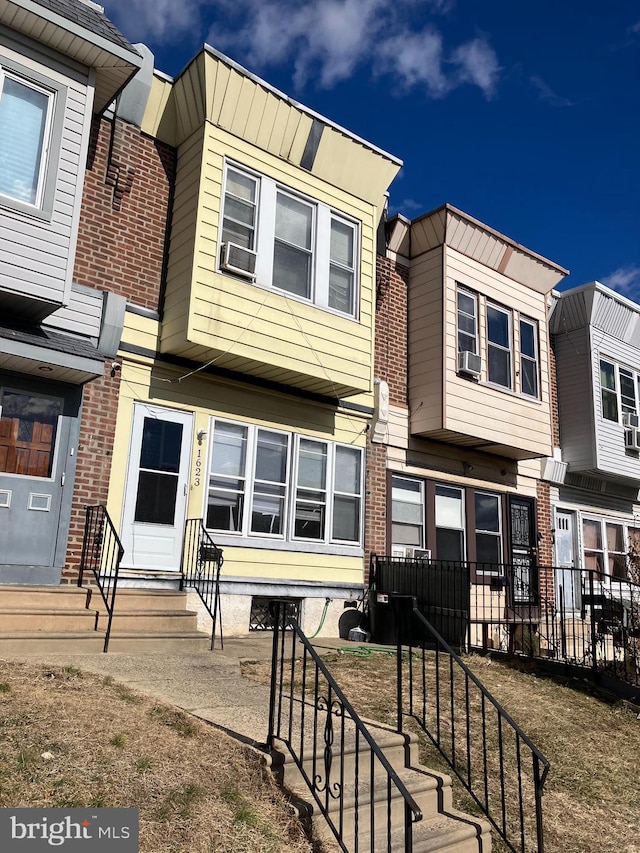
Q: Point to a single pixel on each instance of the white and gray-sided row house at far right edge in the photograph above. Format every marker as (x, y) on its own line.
(594, 485)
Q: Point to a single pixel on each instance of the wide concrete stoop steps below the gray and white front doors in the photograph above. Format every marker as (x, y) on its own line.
(74, 620)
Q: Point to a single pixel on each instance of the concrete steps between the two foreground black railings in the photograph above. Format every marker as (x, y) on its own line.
(364, 811)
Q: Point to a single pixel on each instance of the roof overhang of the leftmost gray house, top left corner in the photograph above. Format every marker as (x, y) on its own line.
(114, 63)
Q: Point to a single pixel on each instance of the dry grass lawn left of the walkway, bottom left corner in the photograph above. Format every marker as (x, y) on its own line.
(71, 739)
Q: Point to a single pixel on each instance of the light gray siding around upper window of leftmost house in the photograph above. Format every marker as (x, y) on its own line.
(39, 263)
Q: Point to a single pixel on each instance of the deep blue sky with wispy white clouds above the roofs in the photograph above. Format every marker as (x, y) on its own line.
(524, 114)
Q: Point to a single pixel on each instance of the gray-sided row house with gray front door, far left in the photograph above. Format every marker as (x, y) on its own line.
(61, 65)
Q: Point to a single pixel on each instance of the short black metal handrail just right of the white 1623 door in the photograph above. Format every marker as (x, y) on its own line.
(201, 564)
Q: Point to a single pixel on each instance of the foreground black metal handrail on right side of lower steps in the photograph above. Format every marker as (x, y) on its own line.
(502, 770)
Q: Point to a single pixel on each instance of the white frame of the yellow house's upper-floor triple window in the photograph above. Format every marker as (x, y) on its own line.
(267, 191)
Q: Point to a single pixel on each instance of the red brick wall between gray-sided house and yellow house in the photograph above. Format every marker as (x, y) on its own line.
(121, 248)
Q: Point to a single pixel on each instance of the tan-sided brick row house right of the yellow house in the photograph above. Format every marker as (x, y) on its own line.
(463, 426)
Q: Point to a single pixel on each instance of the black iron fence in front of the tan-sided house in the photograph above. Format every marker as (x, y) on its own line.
(581, 618)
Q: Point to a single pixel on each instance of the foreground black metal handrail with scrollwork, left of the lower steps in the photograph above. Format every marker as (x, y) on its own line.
(361, 798)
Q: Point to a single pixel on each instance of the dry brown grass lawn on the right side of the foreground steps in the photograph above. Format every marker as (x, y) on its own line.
(591, 802)
